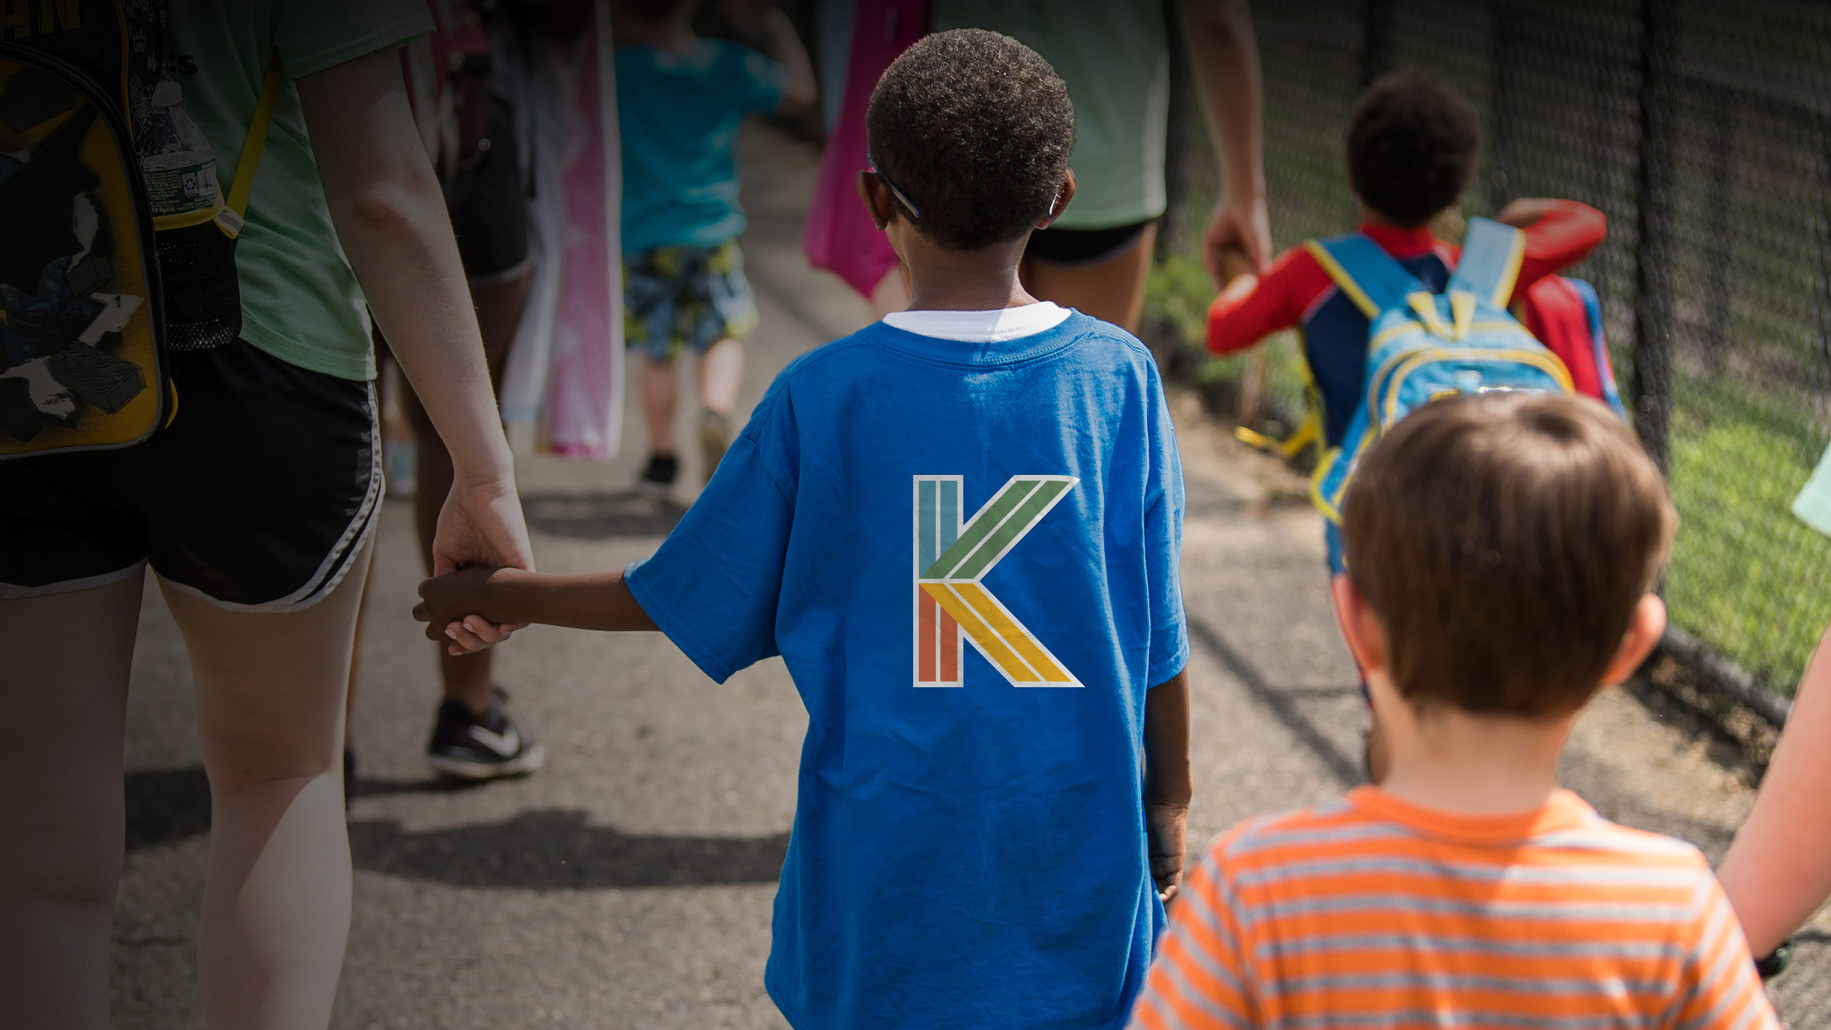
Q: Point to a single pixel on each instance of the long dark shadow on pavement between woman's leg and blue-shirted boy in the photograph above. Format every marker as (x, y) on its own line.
(559, 850)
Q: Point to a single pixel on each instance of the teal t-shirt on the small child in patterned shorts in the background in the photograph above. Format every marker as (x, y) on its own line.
(678, 122)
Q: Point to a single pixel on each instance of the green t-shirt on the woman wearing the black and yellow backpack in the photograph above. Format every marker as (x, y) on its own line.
(299, 299)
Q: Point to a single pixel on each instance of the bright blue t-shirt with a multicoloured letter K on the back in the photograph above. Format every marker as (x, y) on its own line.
(970, 837)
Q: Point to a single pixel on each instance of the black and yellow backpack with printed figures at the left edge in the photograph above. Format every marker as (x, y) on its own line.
(96, 288)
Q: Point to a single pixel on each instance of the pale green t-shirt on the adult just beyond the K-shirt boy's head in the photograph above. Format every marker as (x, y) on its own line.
(1118, 69)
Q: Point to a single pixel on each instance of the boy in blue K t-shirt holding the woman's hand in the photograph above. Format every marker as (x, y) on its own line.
(960, 530)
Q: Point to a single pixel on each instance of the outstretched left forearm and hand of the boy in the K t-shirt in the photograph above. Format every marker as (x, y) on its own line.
(589, 601)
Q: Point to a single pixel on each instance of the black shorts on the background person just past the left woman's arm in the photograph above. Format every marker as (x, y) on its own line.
(488, 204)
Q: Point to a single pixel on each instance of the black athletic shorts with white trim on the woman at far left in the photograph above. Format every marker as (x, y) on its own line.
(257, 495)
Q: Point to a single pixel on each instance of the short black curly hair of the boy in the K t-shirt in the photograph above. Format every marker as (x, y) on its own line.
(975, 131)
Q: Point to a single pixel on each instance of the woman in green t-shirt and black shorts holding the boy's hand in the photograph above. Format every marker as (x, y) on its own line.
(255, 510)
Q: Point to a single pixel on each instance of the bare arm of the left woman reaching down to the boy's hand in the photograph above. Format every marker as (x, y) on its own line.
(391, 219)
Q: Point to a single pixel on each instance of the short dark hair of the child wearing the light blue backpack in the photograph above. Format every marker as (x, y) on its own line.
(1413, 147)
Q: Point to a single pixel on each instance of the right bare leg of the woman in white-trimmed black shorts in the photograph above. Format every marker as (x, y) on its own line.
(270, 720)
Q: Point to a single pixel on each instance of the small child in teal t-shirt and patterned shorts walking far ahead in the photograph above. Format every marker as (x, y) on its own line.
(680, 100)
